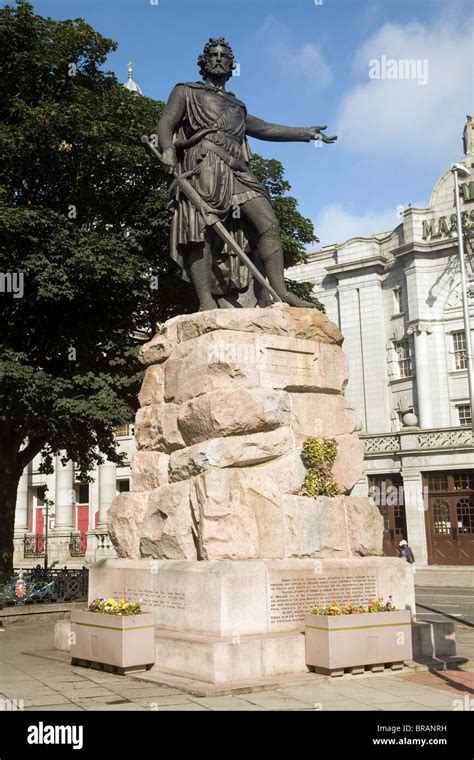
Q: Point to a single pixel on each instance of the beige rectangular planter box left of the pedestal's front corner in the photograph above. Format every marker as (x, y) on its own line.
(119, 642)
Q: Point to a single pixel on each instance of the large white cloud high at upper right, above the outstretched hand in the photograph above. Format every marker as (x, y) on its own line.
(399, 119)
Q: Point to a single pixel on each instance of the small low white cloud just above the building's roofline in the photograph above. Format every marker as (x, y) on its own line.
(335, 224)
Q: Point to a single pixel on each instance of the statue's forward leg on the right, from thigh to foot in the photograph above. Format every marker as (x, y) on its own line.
(259, 213)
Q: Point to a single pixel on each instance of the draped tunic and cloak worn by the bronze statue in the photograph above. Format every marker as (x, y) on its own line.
(221, 186)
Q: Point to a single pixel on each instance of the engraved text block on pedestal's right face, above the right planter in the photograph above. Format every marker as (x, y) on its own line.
(292, 598)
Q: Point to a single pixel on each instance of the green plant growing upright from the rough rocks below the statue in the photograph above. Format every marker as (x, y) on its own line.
(319, 456)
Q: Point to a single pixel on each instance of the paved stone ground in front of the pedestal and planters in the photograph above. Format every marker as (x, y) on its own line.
(51, 685)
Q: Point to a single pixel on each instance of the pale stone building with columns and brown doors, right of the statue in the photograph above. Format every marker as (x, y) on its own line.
(396, 297)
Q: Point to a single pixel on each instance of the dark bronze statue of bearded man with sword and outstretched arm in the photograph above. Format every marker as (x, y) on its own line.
(203, 132)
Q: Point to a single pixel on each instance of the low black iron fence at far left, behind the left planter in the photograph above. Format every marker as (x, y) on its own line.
(38, 586)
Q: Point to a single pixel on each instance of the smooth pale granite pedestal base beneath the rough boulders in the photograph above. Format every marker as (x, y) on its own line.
(236, 620)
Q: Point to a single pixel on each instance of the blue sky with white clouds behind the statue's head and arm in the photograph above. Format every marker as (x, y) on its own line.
(303, 63)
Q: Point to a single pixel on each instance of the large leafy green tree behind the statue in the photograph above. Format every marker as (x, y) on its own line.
(85, 274)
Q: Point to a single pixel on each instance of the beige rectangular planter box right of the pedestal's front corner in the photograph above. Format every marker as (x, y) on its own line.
(335, 642)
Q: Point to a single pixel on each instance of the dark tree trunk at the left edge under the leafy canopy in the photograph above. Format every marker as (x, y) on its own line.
(10, 473)
